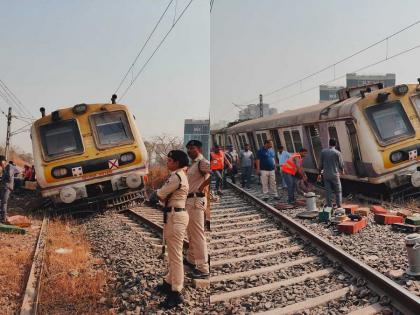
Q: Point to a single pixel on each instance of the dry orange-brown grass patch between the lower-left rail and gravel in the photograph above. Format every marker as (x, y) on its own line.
(73, 282)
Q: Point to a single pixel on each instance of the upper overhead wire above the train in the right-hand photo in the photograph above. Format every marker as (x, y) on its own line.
(337, 62)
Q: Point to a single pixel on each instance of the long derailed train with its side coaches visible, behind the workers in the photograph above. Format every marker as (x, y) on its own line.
(377, 129)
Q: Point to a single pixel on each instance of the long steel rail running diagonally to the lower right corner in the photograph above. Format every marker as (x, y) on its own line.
(400, 298)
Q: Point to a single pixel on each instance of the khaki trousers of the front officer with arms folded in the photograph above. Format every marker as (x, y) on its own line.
(174, 230)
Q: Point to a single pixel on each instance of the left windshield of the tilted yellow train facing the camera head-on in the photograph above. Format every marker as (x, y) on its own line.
(61, 138)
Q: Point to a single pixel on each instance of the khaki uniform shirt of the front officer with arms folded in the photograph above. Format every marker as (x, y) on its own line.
(178, 188)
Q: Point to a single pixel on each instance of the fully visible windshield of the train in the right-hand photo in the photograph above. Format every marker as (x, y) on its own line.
(390, 121)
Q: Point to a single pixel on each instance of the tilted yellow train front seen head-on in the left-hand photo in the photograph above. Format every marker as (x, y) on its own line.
(88, 152)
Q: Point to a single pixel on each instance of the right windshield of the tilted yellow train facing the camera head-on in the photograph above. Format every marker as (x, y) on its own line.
(112, 128)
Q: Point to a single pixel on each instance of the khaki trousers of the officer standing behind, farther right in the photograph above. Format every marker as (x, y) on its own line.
(197, 249)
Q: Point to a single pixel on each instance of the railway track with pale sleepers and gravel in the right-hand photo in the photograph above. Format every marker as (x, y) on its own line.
(265, 262)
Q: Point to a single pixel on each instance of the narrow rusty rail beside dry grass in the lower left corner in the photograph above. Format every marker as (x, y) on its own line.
(30, 301)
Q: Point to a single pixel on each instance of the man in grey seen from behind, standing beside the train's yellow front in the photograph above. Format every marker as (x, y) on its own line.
(331, 166)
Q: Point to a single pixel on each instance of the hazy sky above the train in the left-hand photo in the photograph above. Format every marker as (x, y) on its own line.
(60, 53)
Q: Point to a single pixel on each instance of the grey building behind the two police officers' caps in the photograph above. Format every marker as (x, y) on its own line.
(198, 130)
